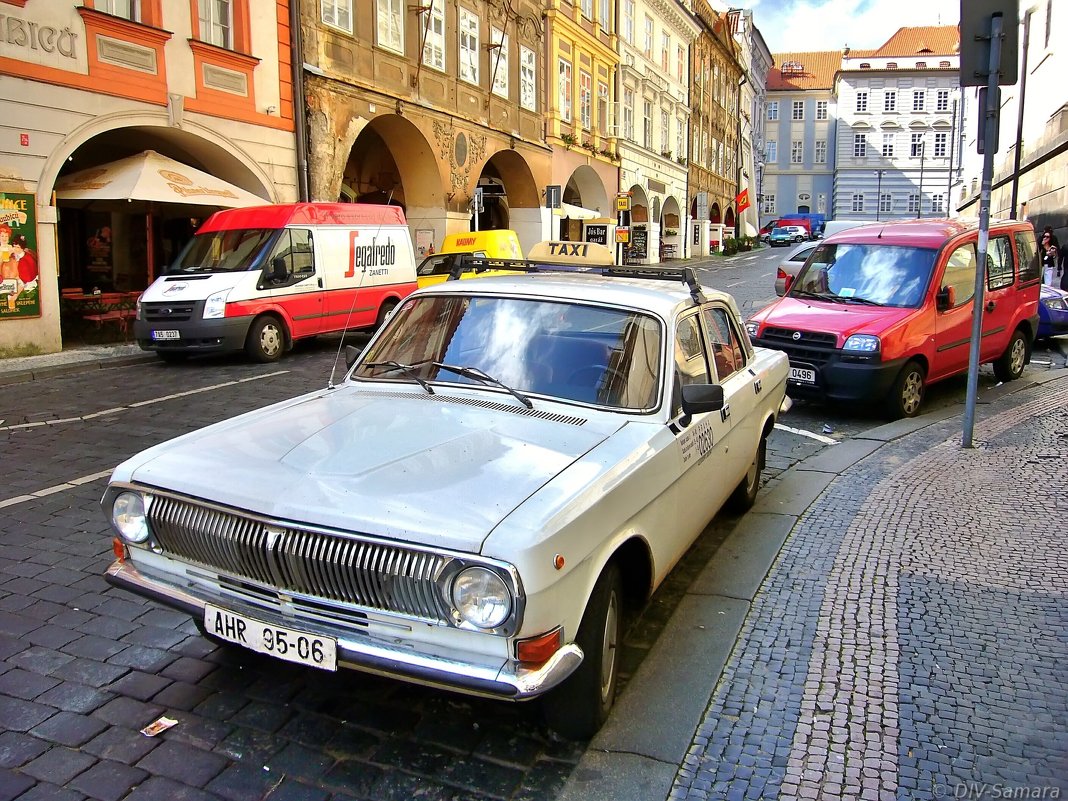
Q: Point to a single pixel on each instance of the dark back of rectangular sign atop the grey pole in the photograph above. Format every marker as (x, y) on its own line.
(976, 42)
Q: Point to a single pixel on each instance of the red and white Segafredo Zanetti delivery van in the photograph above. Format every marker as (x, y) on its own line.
(262, 278)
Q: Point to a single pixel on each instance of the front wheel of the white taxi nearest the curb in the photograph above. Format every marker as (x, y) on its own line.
(579, 708)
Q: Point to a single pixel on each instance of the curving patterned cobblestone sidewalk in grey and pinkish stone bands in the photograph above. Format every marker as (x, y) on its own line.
(912, 641)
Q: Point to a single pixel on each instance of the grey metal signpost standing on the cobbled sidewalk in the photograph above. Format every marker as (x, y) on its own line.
(988, 170)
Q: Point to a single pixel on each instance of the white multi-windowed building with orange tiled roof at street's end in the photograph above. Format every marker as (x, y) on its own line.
(899, 127)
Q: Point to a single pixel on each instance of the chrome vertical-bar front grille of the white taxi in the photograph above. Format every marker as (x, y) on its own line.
(344, 569)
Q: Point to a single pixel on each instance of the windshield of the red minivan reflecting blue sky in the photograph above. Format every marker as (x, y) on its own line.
(884, 275)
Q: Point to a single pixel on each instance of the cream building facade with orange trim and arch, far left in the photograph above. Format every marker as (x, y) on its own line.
(86, 85)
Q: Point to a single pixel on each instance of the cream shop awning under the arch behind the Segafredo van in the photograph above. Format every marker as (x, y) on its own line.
(150, 177)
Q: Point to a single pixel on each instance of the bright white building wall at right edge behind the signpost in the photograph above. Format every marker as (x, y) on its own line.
(1031, 167)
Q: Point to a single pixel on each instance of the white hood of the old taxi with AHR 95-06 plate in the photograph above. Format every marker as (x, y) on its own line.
(438, 470)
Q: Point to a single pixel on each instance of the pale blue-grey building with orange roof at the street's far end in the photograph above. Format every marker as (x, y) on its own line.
(799, 146)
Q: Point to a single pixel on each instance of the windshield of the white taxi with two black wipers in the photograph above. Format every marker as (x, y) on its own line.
(587, 354)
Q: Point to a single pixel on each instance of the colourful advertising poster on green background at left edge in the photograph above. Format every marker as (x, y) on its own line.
(20, 274)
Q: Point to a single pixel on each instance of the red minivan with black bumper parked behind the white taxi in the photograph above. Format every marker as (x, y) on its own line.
(879, 312)
